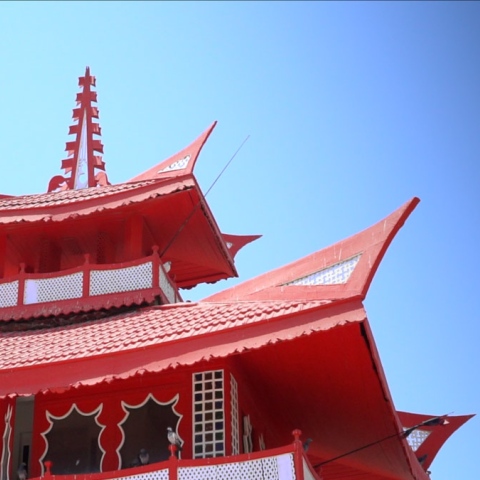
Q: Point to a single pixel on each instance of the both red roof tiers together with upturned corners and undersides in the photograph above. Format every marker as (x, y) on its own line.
(300, 331)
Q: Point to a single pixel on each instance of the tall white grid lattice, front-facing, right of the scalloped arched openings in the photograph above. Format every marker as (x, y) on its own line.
(208, 414)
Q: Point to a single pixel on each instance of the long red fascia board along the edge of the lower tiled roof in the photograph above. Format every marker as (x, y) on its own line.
(172, 353)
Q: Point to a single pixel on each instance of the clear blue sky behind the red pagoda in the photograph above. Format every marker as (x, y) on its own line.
(352, 108)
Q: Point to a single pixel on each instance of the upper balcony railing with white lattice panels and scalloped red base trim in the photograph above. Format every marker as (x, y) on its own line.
(89, 286)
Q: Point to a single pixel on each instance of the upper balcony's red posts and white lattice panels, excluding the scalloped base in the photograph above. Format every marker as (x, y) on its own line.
(86, 281)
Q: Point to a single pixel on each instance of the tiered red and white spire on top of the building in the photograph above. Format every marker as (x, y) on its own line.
(82, 162)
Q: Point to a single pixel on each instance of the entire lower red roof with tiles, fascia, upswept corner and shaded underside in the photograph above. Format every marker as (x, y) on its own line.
(280, 341)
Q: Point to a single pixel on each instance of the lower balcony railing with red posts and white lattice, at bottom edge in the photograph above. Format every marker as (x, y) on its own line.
(284, 463)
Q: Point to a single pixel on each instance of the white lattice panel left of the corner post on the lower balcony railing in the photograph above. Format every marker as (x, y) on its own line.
(271, 468)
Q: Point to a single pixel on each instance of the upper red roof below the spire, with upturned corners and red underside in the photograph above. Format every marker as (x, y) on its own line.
(189, 238)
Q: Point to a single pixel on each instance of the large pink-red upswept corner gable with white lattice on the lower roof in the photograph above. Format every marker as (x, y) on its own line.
(343, 270)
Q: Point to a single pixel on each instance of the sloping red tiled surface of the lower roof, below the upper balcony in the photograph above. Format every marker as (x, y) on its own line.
(136, 330)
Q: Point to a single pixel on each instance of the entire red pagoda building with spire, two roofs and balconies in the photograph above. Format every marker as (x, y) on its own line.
(276, 378)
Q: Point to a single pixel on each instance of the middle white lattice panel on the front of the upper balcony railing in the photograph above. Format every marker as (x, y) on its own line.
(51, 289)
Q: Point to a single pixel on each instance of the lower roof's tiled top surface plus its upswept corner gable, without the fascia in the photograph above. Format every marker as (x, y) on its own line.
(322, 281)
